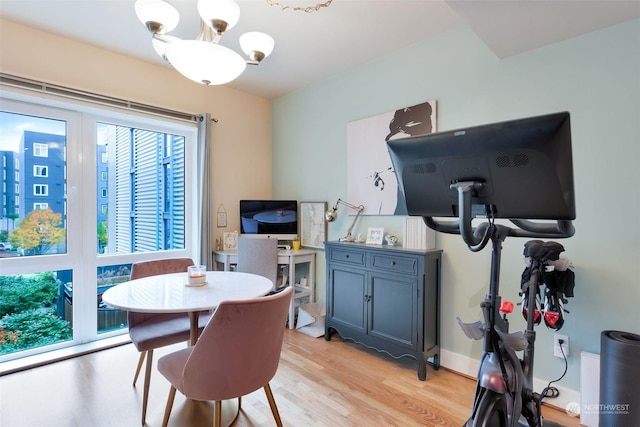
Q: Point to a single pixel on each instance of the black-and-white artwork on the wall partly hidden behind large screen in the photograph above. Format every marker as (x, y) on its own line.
(371, 180)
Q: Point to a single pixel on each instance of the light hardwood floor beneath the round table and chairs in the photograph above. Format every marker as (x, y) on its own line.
(319, 383)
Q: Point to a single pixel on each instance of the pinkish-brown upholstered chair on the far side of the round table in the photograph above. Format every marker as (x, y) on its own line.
(152, 330)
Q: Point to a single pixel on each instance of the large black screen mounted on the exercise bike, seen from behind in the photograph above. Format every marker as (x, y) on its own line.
(525, 167)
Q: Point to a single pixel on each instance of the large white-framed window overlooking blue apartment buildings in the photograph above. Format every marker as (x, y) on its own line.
(142, 182)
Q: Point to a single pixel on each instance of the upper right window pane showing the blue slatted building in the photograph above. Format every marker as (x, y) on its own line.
(147, 212)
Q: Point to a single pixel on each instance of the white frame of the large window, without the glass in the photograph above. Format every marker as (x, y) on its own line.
(81, 208)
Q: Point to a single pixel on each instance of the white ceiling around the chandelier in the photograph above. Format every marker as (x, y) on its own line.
(311, 47)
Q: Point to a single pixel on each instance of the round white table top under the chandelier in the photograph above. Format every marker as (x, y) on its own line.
(168, 293)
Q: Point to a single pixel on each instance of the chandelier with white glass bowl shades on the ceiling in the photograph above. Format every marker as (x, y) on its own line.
(203, 60)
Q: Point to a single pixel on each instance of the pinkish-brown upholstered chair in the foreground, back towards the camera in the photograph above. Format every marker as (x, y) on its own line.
(237, 353)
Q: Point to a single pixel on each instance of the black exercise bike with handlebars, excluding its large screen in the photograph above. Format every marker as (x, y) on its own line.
(504, 392)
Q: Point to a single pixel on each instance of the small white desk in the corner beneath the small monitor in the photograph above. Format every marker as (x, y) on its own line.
(288, 259)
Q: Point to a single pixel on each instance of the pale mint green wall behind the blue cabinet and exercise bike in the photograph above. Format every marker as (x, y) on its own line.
(596, 77)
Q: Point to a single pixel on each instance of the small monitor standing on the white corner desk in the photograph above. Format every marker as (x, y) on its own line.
(269, 218)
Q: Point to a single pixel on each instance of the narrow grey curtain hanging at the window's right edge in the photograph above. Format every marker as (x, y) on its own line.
(204, 192)
